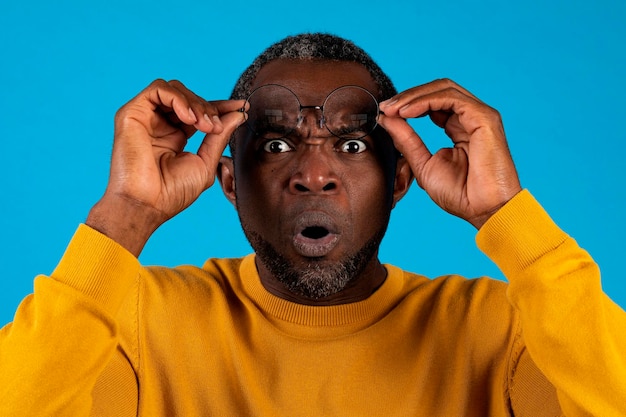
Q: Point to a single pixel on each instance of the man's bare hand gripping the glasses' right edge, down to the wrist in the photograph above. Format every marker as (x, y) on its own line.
(476, 176)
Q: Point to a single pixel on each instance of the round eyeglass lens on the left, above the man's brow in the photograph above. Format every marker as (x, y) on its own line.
(274, 111)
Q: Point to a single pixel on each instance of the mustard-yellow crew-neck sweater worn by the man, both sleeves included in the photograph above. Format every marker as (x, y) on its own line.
(104, 336)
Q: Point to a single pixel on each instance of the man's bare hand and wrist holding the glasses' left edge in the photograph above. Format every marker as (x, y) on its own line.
(152, 178)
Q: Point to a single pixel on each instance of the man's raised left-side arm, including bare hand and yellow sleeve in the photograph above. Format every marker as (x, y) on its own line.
(66, 338)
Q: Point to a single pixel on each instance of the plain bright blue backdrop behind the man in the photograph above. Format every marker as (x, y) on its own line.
(554, 69)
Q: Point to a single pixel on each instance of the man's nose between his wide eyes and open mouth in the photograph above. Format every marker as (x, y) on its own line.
(314, 173)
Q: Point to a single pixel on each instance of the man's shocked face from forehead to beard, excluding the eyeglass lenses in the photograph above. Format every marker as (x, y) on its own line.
(314, 206)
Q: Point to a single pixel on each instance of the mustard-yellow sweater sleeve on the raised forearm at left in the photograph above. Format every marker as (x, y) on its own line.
(64, 334)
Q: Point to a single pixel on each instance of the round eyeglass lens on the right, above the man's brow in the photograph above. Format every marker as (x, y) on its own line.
(350, 112)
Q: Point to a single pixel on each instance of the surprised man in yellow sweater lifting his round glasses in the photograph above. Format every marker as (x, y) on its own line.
(313, 323)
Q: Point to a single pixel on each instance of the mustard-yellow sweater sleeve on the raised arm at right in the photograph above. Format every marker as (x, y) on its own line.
(574, 332)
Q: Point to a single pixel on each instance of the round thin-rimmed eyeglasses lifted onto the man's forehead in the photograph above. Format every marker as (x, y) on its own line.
(348, 112)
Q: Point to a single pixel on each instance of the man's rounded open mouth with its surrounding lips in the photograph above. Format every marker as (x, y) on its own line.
(315, 234)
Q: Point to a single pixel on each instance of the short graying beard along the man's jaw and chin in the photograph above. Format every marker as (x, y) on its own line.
(317, 278)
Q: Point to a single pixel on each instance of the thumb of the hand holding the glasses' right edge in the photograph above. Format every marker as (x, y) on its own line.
(408, 143)
